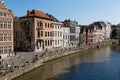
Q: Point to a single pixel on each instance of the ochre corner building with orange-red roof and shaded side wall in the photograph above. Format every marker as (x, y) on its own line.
(33, 32)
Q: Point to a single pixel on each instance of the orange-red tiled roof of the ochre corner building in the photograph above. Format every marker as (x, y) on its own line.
(37, 13)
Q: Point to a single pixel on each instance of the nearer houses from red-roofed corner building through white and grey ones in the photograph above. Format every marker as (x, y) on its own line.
(37, 31)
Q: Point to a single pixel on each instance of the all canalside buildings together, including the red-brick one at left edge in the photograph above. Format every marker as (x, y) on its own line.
(37, 31)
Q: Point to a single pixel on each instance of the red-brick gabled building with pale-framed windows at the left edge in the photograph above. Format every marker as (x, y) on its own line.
(6, 30)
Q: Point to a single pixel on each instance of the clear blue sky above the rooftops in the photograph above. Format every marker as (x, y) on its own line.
(83, 11)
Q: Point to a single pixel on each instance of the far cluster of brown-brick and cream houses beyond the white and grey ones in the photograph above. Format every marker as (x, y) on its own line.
(96, 32)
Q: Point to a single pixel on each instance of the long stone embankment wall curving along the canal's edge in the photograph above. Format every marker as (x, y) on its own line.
(51, 55)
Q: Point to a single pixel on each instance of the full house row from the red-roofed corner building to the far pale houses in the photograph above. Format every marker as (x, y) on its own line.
(37, 31)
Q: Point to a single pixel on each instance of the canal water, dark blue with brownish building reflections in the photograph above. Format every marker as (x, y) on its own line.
(96, 64)
